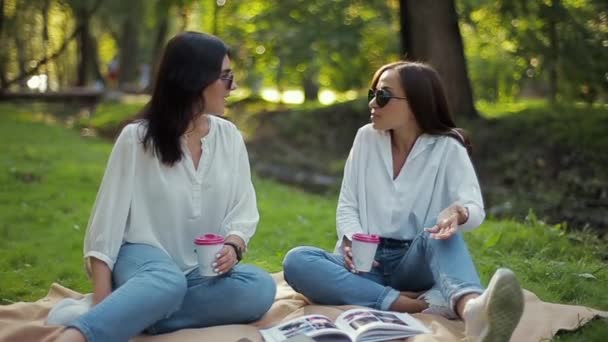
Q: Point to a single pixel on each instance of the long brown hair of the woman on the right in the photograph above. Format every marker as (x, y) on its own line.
(426, 96)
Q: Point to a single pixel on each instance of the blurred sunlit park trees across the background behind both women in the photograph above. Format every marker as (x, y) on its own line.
(313, 50)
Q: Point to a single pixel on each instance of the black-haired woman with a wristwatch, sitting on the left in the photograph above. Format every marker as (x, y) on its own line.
(176, 174)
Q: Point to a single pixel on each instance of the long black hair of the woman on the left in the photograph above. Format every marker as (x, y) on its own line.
(191, 61)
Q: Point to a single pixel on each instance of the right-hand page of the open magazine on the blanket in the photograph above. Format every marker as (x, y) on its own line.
(375, 325)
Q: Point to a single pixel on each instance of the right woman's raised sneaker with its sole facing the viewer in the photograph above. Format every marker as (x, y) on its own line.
(493, 316)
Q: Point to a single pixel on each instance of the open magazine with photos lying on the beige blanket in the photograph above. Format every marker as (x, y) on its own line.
(355, 325)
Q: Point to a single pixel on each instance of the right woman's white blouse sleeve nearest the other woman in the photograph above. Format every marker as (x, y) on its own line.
(347, 214)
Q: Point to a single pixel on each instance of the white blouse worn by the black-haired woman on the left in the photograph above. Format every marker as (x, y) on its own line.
(142, 200)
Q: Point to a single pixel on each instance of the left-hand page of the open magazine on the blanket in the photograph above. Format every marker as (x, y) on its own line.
(318, 327)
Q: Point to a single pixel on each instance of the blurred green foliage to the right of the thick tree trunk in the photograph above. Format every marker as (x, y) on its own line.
(512, 46)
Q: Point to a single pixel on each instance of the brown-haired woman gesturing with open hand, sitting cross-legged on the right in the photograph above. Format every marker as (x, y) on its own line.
(409, 181)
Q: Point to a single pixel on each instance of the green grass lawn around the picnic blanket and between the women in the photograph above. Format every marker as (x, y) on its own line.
(49, 176)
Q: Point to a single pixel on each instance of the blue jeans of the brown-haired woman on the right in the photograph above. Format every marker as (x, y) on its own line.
(416, 266)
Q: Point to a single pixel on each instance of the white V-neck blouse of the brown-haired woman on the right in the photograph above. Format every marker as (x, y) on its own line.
(437, 173)
